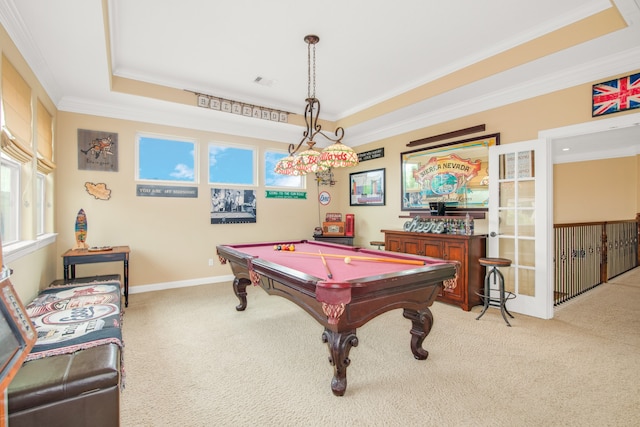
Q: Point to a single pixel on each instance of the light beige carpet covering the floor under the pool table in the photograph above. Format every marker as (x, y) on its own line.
(193, 360)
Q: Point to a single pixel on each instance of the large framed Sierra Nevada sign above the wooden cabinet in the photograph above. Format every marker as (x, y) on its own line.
(456, 173)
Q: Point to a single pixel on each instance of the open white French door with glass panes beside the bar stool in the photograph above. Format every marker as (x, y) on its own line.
(521, 223)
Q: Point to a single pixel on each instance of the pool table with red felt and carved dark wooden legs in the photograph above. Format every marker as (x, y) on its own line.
(340, 294)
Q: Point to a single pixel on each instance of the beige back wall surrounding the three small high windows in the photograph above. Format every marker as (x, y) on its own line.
(171, 239)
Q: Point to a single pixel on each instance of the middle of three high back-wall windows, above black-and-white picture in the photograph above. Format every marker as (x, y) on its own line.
(232, 165)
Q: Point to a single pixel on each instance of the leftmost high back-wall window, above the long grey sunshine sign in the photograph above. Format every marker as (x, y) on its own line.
(163, 159)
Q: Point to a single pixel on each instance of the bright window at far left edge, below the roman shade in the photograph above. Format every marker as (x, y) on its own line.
(9, 200)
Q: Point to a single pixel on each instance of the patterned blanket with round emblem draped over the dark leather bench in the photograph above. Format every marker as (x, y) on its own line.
(72, 318)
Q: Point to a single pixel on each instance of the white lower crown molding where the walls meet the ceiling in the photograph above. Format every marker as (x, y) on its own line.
(486, 94)
